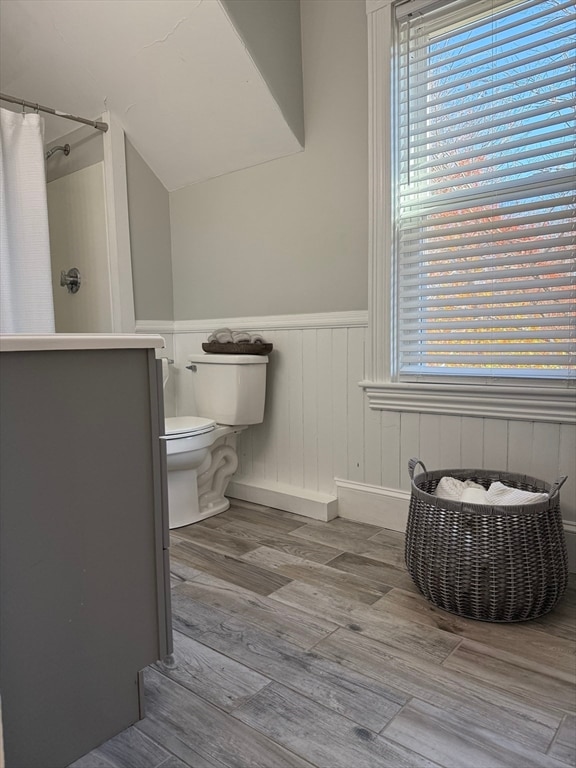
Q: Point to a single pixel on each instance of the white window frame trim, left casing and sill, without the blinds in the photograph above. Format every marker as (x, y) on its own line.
(526, 399)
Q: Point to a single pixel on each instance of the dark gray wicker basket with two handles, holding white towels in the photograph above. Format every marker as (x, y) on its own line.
(488, 563)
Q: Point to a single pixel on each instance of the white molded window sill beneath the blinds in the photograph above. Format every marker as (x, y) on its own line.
(500, 402)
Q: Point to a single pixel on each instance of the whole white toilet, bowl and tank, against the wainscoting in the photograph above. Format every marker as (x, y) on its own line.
(230, 392)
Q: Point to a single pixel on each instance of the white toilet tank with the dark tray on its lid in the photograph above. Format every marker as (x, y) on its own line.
(231, 389)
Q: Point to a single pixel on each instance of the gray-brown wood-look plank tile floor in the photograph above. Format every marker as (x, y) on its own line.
(302, 644)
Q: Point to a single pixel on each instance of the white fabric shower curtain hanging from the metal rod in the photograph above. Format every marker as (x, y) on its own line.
(26, 303)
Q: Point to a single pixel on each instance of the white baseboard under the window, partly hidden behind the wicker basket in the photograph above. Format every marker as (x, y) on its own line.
(388, 508)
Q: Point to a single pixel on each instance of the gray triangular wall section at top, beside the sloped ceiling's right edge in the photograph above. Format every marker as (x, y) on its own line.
(271, 32)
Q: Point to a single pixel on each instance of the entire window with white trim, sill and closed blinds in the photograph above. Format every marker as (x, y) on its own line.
(474, 185)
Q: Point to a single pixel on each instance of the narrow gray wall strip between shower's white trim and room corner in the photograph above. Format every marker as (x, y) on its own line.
(150, 241)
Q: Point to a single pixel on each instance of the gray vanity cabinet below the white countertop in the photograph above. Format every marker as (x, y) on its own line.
(84, 583)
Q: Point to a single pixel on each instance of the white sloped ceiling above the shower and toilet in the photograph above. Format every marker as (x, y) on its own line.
(176, 74)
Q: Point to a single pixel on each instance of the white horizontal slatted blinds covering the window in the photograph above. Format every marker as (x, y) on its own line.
(485, 228)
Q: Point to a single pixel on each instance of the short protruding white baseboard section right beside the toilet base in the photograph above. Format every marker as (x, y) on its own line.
(300, 501)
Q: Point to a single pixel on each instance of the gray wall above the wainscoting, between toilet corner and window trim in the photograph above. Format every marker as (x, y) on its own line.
(291, 235)
